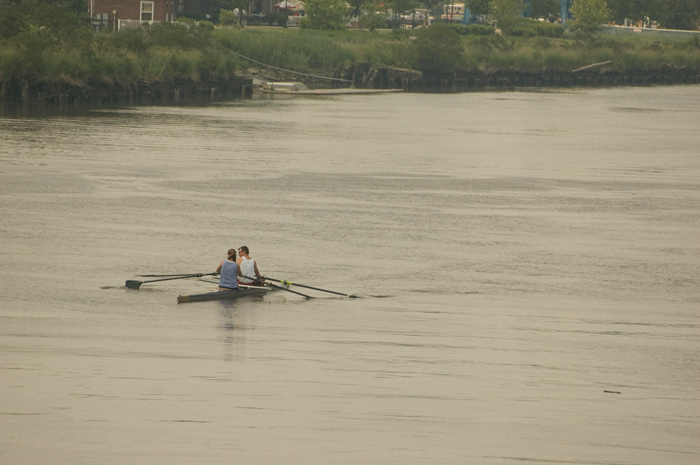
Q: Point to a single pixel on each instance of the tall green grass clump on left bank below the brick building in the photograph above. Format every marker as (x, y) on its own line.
(163, 53)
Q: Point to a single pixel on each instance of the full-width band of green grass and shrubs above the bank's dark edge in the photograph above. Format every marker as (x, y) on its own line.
(172, 54)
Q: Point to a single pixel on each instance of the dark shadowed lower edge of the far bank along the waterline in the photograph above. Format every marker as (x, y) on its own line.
(359, 78)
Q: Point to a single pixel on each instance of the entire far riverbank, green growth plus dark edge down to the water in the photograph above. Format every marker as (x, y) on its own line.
(173, 64)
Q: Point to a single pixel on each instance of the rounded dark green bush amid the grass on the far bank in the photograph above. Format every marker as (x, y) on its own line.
(438, 49)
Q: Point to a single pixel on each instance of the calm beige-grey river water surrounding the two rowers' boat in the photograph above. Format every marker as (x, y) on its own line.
(527, 266)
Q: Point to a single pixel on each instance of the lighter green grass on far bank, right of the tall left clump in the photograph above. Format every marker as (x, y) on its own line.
(327, 52)
